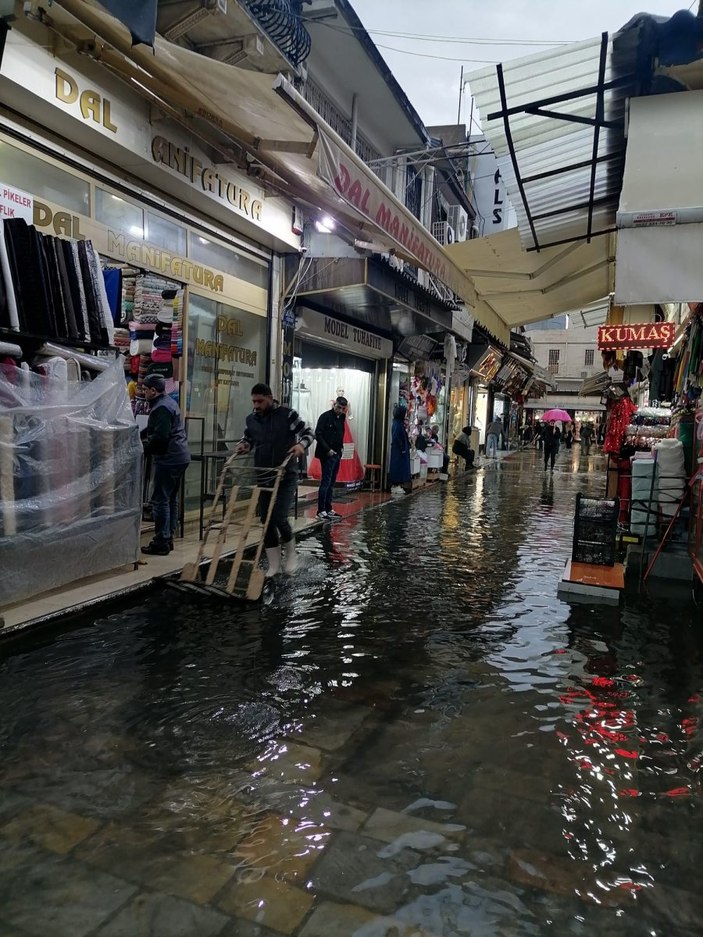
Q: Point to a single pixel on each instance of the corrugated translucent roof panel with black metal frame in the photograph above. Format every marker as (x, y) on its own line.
(556, 123)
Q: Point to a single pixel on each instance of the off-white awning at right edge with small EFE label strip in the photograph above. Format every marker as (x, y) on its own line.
(660, 238)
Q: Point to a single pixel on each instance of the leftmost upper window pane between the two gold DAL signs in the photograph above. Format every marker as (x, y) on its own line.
(43, 180)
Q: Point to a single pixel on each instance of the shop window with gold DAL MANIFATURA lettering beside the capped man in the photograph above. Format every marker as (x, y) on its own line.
(226, 357)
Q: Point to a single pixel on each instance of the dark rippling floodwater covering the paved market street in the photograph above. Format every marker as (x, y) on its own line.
(417, 738)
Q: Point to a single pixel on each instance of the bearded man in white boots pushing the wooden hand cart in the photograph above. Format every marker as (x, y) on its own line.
(275, 433)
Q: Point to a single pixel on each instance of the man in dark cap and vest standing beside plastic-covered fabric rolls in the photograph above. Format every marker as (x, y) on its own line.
(165, 440)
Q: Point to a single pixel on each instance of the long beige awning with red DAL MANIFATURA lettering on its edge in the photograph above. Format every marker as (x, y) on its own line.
(276, 129)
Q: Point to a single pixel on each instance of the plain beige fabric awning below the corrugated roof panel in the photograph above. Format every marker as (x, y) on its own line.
(522, 287)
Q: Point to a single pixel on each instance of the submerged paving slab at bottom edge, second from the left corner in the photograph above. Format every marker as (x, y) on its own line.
(158, 915)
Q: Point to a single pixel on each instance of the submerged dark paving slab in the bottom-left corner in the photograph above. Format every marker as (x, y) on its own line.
(64, 899)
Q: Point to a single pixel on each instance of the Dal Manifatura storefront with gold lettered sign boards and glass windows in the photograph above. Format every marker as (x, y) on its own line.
(95, 167)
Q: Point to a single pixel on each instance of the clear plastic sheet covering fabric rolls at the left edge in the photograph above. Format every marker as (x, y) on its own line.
(70, 478)
